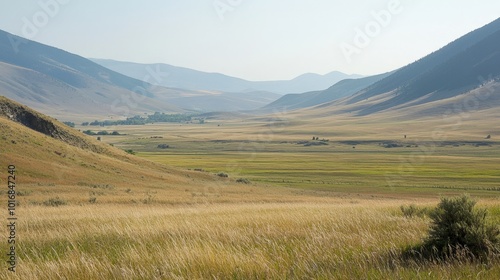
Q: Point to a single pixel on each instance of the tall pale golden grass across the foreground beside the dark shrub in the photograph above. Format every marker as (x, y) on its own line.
(337, 240)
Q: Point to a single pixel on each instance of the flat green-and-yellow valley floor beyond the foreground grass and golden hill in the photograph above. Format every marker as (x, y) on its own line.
(359, 166)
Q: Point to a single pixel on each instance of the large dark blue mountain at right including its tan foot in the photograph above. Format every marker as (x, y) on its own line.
(461, 79)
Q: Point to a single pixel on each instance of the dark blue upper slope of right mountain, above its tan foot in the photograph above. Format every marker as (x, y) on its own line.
(461, 66)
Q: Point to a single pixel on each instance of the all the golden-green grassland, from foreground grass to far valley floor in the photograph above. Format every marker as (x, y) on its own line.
(306, 212)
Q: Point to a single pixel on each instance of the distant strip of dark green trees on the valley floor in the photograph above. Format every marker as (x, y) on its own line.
(138, 120)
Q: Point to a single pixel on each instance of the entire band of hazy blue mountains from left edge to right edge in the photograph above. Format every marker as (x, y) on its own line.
(62, 84)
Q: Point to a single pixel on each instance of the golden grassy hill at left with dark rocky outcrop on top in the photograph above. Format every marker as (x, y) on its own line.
(49, 153)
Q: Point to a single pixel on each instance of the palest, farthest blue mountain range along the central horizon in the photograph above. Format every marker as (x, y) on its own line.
(179, 77)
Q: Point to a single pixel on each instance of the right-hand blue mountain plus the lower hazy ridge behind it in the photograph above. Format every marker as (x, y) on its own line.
(467, 64)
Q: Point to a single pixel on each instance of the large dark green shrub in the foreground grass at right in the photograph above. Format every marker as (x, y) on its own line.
(457, 225)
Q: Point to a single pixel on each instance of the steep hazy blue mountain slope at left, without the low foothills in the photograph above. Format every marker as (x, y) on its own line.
(66, 85)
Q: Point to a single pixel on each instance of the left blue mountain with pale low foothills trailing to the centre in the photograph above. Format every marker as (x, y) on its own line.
(68, 86)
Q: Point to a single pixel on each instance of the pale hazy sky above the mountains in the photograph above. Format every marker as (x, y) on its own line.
(251, 39)
